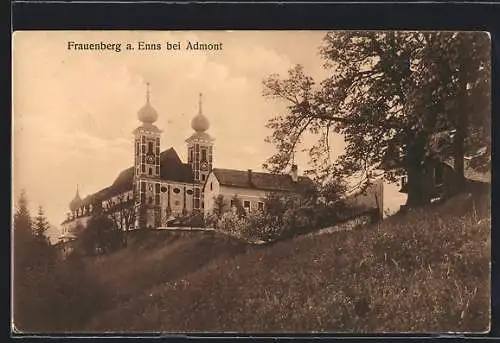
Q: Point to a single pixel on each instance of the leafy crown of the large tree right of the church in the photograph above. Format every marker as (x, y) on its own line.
(387, 94)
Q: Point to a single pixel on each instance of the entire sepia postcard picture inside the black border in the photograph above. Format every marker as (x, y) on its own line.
(251, 182)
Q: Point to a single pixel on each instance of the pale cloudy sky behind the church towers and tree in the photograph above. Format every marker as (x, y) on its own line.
(74, 111)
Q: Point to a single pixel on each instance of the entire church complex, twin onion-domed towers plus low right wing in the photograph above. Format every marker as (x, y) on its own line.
(159, 186)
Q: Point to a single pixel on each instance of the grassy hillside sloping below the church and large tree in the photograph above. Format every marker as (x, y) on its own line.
(427, 270)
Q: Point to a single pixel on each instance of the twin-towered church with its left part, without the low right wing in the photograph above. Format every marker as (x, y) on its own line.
(158, 186)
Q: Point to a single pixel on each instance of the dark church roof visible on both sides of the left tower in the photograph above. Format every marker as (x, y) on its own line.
(171, 169)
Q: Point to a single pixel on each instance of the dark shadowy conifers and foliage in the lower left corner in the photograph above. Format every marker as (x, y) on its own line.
(49, 294)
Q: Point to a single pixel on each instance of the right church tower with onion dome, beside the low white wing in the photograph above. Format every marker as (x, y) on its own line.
(200, 153)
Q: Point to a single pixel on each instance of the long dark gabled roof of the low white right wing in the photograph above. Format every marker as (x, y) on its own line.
(261, 181)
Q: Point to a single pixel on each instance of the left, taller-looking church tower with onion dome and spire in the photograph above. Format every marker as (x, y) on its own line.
(147, 166)
